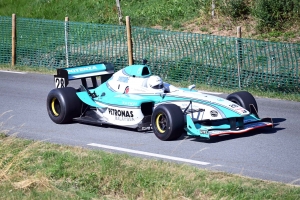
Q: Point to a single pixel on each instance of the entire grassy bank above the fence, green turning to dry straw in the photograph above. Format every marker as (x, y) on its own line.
(175, 14)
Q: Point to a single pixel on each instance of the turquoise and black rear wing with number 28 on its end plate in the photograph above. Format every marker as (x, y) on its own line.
(64, 75)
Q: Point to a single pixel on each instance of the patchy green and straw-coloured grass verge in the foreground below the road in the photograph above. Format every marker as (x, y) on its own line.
(38, 170)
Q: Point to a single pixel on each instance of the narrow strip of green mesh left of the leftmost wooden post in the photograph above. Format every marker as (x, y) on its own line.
(5, 40)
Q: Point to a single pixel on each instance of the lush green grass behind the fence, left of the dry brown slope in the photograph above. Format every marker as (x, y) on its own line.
(143, 13)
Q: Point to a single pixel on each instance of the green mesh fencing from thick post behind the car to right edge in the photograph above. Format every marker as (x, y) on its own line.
(213, 60)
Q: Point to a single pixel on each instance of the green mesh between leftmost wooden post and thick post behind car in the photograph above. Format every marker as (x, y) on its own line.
(56, 44)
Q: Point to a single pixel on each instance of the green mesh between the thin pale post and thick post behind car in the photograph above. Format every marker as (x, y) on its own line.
(94, 43)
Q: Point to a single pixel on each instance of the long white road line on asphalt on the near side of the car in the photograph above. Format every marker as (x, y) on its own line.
(149, 154)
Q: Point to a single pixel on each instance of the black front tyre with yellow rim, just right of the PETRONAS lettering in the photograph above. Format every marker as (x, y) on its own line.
(167, 122)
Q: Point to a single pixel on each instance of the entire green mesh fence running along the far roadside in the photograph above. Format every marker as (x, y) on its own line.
(175, 56)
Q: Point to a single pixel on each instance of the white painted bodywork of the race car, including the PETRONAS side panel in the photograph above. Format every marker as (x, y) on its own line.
(131, 115)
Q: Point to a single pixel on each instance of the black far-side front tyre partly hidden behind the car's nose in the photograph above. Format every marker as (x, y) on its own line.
(243, 99)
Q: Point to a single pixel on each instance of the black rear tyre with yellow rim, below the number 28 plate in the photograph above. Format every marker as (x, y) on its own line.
(63, 105)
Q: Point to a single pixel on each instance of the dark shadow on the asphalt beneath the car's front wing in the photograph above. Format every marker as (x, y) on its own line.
(276, 123)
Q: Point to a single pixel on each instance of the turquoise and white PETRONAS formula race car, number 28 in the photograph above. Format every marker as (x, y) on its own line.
(133, 97)
